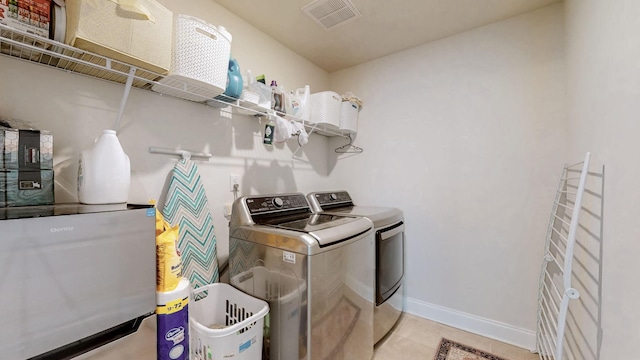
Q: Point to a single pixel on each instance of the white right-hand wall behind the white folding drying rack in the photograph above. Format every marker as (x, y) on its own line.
(603, 49)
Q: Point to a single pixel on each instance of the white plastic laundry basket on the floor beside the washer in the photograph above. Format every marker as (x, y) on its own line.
(226, 324)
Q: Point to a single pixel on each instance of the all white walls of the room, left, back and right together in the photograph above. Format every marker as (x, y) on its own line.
(466, 134)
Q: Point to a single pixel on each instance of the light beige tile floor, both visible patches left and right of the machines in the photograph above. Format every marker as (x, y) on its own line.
(412, 338)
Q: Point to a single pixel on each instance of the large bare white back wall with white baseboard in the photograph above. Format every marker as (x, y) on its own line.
(467, 136)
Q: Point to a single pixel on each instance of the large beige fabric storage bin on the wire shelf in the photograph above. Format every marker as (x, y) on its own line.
(139, 35)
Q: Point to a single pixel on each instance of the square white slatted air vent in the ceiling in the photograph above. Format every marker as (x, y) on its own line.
(331, 13)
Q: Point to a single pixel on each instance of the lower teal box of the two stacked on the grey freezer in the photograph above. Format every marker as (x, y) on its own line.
(26, 187)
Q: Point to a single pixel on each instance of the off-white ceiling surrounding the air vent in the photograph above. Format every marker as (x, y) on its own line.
(386, 27)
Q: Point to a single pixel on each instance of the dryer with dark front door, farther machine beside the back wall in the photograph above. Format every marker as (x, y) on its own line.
(389, 233)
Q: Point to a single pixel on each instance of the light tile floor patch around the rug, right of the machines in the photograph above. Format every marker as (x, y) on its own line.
(417, 338)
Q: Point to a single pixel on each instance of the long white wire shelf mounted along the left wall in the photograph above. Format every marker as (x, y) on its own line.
(24, 46)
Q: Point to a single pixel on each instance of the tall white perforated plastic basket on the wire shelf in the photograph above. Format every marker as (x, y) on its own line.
(200, 58)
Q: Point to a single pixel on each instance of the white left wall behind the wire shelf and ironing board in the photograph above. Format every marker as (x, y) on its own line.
(76, 109)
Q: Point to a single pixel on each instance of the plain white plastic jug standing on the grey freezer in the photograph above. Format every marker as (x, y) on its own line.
(104, 173)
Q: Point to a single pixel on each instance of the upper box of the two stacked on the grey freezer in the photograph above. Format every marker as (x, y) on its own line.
(26, 149)
